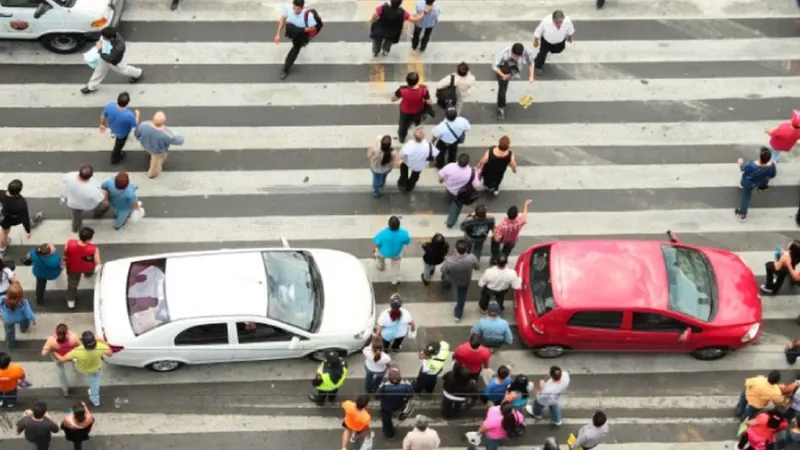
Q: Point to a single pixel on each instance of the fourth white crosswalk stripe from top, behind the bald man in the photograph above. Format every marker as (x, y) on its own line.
(215, 139)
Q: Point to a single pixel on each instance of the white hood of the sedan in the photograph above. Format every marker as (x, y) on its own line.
(349, 301)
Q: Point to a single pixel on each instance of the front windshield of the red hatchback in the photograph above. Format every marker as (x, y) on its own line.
(690, 280)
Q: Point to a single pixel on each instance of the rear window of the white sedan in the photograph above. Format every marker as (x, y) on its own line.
(147, 301)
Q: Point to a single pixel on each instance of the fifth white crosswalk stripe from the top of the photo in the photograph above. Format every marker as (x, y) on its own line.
(530, 178)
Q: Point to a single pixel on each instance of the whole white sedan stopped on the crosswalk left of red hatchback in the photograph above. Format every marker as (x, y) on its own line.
(165, 311)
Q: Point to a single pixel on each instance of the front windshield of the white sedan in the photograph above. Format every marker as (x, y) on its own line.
(293, 293)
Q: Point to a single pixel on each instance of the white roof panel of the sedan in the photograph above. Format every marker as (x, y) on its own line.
(216, 284)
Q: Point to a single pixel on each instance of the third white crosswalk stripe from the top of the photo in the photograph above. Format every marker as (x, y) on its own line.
(322, 94)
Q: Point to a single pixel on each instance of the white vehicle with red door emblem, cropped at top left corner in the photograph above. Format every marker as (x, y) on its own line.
(61, 26)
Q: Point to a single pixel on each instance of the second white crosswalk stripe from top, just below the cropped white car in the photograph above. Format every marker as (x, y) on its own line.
(323, 53)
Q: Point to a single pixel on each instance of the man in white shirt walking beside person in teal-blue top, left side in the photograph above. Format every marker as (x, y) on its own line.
(83, 193)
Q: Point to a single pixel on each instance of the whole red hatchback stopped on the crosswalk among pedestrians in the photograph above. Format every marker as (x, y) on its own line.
(635, 296)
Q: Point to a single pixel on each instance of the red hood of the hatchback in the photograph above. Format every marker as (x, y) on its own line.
(737, 288)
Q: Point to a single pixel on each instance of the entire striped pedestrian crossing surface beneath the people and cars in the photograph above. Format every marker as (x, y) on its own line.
(634, 129)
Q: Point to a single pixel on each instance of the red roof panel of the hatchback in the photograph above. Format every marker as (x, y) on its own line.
(609, 274)
